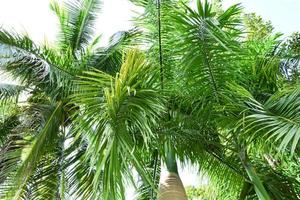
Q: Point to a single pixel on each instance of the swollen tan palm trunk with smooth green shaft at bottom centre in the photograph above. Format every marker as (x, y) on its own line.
(171, 187)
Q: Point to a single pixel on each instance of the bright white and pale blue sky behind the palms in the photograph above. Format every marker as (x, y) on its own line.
(35, 18)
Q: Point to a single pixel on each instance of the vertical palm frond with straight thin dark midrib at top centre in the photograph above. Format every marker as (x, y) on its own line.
(156, 24)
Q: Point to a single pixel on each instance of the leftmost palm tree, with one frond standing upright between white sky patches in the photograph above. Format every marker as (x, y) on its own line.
(35, 148)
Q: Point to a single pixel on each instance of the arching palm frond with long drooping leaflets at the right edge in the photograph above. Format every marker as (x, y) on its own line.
(276, 119)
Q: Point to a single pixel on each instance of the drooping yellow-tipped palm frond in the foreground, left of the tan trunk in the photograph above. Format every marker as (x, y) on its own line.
(118, 110)
